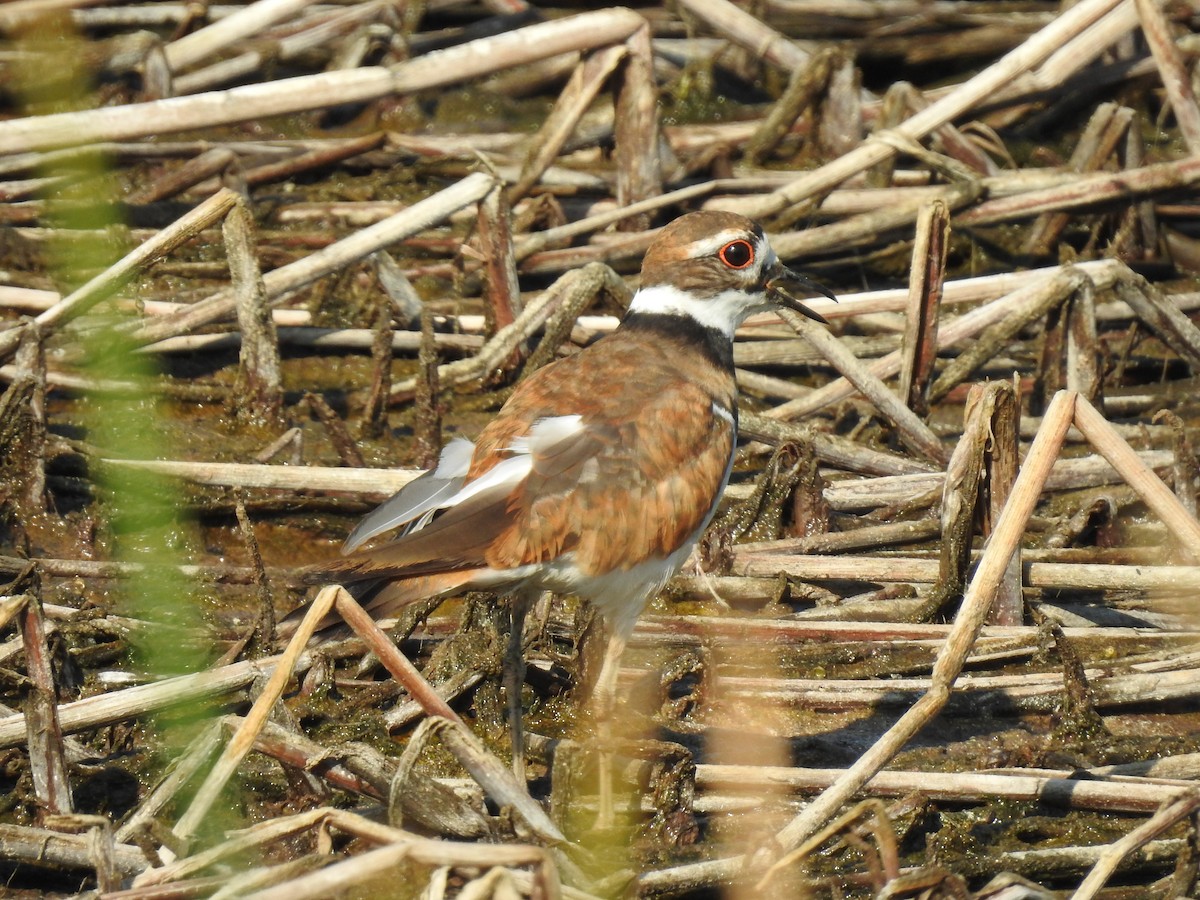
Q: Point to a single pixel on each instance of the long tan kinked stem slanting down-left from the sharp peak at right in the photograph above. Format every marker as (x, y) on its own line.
(976, 604)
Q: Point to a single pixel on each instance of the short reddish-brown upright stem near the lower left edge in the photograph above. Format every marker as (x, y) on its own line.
(47, 760)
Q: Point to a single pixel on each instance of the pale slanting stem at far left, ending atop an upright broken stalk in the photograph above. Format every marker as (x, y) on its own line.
(136, 261)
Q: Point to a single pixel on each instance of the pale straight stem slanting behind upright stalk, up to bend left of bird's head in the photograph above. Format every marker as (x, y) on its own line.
(280, 283)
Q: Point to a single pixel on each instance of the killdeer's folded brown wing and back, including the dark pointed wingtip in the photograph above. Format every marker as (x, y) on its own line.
(637, 477)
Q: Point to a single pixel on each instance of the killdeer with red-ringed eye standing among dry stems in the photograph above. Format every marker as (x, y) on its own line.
(604, 469)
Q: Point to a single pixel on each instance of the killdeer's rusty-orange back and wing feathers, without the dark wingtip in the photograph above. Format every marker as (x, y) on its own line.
(637, 481)
